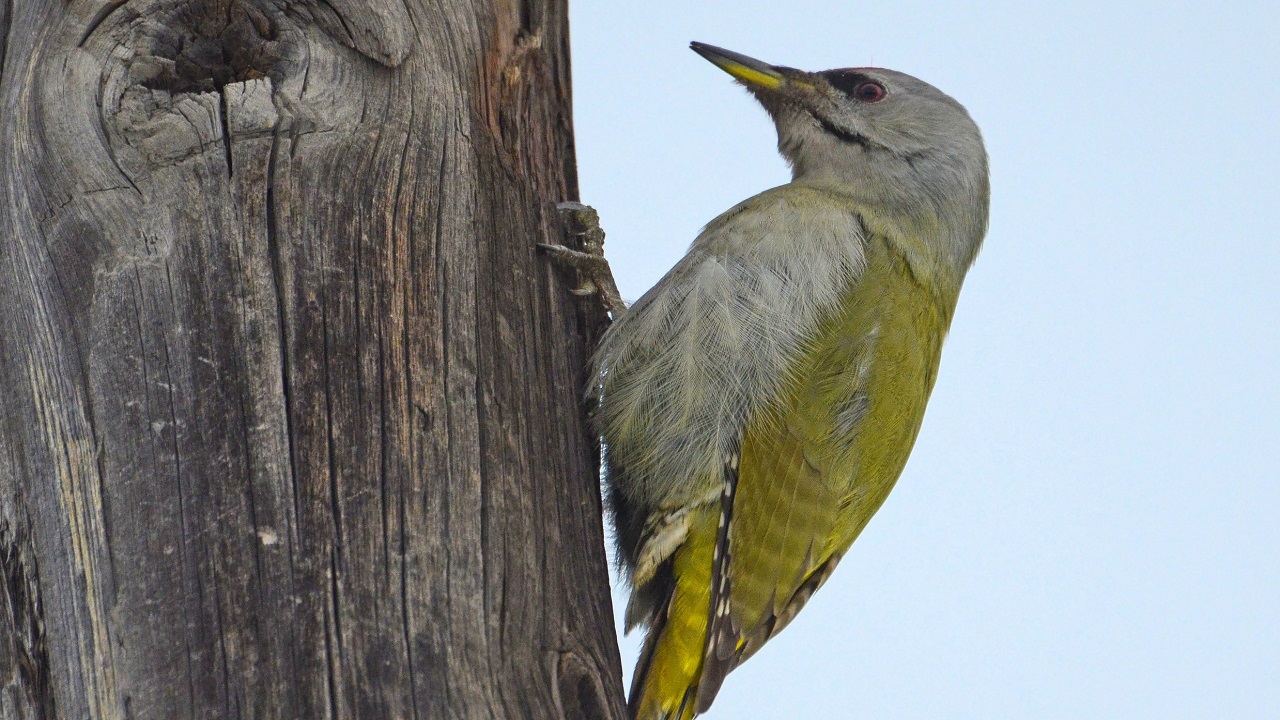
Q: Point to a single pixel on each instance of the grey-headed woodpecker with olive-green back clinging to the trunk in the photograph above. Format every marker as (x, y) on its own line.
(760, 404)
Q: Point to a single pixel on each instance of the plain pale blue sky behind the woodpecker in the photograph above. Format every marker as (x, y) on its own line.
(1090, 526)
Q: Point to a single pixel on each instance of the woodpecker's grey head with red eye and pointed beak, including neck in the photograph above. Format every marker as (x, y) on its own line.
(879, 135)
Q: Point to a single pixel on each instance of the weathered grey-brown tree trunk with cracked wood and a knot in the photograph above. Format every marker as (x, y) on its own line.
(291, 409)
